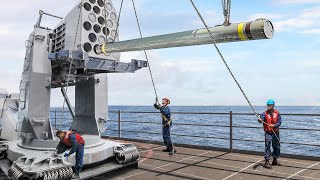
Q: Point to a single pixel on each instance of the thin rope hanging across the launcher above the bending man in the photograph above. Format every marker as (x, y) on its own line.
(69, 72)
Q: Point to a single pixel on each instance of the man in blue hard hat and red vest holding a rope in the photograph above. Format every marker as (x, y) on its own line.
(271, 120)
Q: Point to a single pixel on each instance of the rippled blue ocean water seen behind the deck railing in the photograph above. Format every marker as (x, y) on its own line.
(212, 132)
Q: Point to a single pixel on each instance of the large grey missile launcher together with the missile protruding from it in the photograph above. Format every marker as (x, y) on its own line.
(71, 55)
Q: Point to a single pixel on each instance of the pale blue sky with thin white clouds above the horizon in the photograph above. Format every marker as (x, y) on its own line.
(285, 68)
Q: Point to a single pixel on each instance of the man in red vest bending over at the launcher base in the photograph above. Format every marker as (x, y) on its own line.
(72, 140)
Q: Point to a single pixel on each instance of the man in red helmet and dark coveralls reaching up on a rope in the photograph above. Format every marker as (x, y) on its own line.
(166, 124)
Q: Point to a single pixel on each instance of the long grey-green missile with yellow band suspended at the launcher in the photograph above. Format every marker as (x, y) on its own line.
(254, 30)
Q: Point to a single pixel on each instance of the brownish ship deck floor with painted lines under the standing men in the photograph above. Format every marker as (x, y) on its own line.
(191, 163)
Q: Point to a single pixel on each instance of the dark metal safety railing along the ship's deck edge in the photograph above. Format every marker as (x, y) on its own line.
(231, 126)
